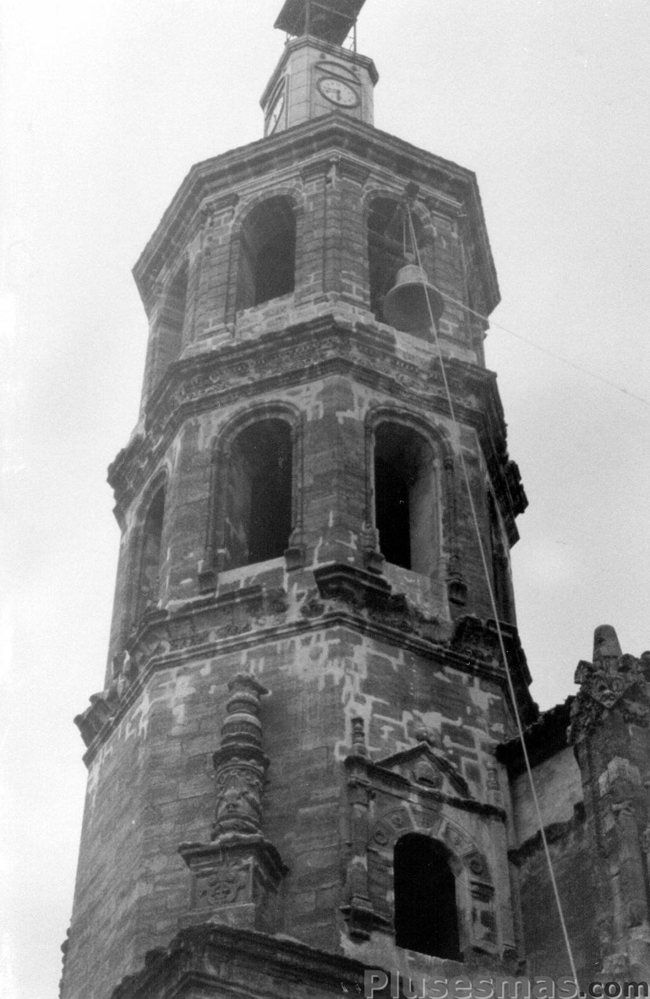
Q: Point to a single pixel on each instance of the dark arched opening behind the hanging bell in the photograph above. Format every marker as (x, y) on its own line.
(389, 237)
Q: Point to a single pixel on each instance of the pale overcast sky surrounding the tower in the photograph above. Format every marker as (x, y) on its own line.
(105, 106)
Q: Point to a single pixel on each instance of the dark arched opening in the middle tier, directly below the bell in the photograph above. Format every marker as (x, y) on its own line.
(406, 514)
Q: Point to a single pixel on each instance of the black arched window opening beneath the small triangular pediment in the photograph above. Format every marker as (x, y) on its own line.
(426, 914)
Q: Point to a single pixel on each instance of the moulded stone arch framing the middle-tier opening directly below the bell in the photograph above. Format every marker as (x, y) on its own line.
(438, 491)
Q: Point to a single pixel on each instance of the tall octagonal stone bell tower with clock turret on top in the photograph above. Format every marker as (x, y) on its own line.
(295, 750)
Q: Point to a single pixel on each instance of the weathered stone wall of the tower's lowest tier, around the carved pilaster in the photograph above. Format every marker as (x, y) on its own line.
(151, 782)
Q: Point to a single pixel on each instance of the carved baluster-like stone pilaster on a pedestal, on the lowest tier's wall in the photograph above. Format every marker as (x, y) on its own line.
(236, 876)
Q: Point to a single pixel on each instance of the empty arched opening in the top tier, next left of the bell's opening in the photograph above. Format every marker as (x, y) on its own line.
(268, 253)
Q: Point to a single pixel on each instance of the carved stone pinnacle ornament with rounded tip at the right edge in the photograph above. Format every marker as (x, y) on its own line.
(613, 682)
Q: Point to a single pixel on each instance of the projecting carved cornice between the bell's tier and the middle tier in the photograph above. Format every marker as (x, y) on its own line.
(303, 352)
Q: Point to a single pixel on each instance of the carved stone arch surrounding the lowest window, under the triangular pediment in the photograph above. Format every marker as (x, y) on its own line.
(475, 901)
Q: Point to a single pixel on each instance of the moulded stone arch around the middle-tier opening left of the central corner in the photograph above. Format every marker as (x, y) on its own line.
(272, 414)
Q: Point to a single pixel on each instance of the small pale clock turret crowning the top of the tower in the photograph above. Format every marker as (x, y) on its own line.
(317, 73)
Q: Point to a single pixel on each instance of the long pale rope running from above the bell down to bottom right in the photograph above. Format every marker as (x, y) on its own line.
(511, 686)
